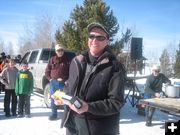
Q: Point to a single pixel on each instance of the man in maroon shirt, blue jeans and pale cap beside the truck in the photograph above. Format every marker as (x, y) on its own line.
(57, 71)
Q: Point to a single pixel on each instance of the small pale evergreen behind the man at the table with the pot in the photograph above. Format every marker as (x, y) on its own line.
(165, 63)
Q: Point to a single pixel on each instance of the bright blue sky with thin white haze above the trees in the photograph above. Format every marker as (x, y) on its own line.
(156, 21)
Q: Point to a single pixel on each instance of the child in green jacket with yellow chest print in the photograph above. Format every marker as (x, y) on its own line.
(24, 88)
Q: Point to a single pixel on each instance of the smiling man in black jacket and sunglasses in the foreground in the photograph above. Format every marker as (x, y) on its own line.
(96, 79)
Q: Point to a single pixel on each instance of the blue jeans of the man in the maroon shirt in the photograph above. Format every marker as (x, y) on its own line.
(55, 85)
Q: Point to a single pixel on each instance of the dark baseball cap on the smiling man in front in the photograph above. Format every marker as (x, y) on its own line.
(98, 25)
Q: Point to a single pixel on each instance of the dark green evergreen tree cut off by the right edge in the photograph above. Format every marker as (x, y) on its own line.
(177, 63)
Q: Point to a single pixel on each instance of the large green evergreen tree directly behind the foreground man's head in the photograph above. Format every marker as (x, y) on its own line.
(73, 35)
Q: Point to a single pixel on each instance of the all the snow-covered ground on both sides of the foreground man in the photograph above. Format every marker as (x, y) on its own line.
(38, 124)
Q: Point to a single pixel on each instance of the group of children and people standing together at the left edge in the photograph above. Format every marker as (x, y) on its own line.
(17, 85)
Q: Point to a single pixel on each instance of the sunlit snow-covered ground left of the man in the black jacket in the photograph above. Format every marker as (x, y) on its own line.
(38, 124)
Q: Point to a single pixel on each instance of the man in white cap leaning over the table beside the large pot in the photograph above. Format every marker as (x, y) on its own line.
(153, 88)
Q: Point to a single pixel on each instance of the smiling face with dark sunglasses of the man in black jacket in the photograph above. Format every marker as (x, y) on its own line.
(97, 41)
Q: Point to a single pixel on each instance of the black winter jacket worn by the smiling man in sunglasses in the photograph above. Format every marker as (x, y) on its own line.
(103, 90)
